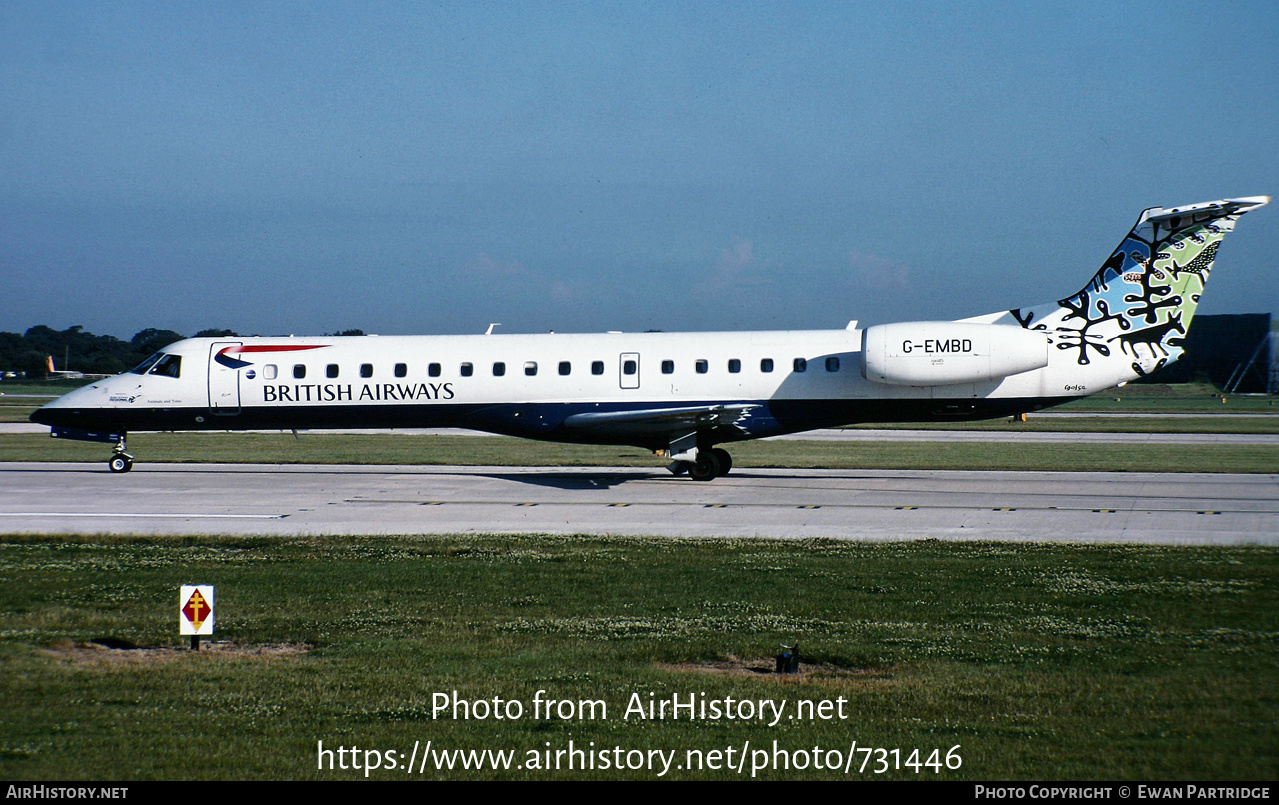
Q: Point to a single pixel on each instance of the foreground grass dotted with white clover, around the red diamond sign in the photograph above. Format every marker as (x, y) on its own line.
(1052, 662)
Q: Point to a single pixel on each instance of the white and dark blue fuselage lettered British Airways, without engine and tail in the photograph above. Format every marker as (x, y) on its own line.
(526, 385)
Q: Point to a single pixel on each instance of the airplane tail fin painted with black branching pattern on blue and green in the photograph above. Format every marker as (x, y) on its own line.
(1133, 318)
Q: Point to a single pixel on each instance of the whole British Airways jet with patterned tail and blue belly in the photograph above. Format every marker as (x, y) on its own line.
(684, 394)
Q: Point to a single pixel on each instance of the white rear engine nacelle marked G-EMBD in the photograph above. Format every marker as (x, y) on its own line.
(950, 353)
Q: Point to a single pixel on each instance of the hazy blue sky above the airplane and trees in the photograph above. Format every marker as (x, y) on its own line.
(429, 168)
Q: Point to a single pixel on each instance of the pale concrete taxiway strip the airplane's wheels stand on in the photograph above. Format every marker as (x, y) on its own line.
(860, 505)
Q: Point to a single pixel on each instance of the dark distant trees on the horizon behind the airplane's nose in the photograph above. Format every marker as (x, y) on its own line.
(76, 350)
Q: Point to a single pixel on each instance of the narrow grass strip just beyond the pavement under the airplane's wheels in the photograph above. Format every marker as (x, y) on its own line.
(395, 449)
